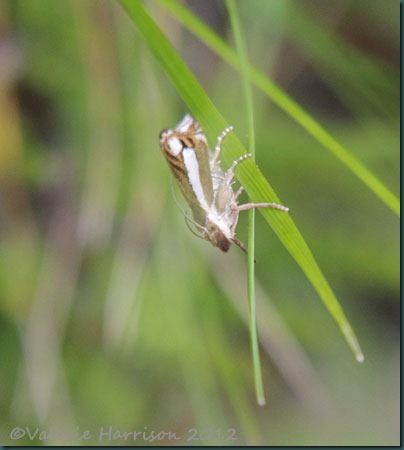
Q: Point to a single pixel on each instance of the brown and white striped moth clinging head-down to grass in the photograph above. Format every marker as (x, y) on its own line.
(206, 187)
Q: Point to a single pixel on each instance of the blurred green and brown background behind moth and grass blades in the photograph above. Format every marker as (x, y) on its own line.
(113, 316)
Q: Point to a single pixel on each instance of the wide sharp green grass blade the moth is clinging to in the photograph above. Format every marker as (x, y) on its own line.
(255, 184)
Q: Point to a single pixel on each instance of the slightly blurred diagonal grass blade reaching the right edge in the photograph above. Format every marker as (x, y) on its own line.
(216, 44)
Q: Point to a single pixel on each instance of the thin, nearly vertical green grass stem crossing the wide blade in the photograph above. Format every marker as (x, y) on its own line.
(248, 100)
